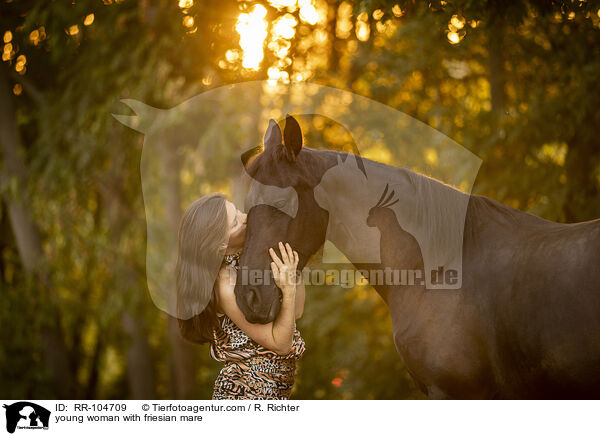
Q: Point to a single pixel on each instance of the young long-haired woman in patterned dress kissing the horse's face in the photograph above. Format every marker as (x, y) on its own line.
(259, 359)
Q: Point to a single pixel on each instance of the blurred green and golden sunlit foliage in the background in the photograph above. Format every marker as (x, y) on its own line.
(519, 87)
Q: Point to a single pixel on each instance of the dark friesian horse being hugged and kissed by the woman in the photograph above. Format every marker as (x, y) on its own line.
(525, 322)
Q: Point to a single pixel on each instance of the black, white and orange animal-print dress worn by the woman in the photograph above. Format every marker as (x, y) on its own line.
(250, 370)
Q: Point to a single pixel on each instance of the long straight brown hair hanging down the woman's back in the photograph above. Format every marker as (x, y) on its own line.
(203, 233)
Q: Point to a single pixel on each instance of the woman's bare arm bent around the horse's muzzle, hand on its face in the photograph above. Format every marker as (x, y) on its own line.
(278, 335)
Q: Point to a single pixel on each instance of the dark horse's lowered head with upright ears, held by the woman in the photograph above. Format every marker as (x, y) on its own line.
(281, 207)
